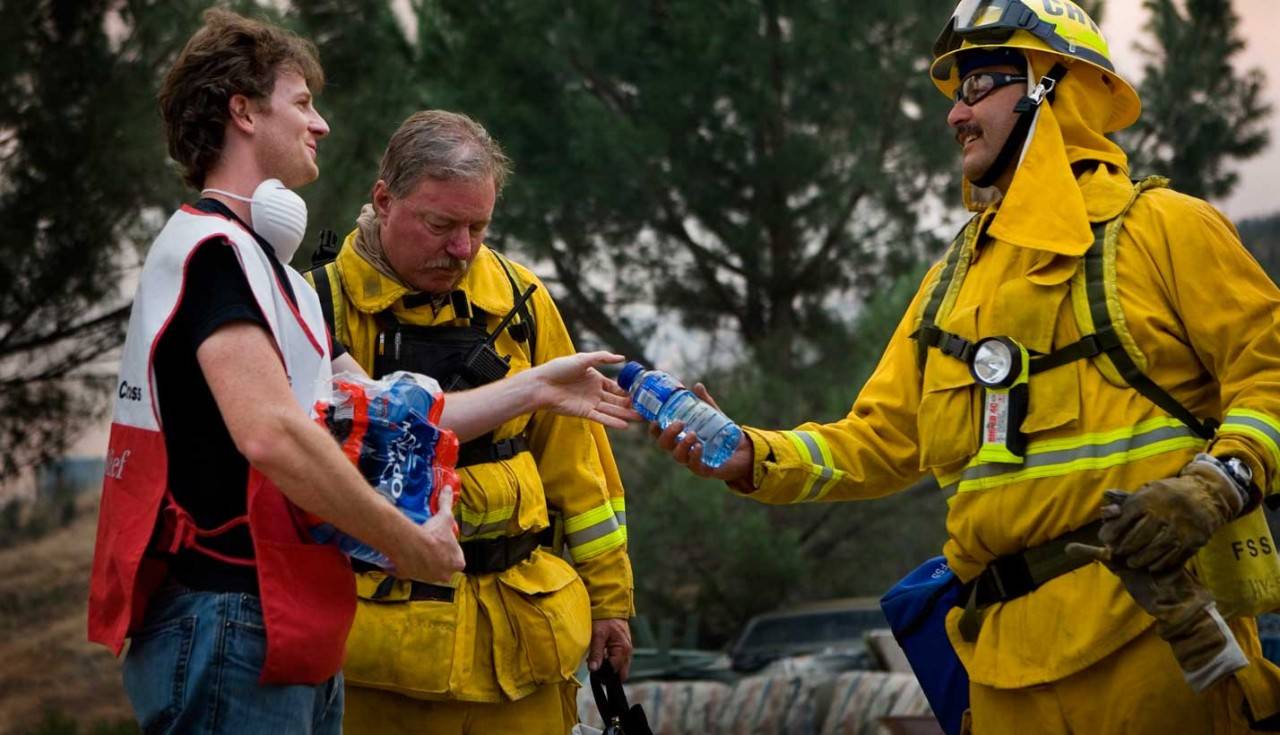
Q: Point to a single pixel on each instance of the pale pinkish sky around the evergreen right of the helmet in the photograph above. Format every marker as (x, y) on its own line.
(1259, 190)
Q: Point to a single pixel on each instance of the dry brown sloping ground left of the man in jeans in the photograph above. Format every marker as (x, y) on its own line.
(47, 664)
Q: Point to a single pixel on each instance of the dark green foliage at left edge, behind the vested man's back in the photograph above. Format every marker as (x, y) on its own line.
(81, 159)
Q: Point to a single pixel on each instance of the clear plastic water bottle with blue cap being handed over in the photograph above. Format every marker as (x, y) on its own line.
(660, 398)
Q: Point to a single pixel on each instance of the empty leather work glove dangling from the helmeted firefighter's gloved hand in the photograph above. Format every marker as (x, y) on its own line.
(1186, 617)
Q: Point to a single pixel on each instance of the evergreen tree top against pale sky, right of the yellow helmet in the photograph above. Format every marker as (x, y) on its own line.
(1200, 113)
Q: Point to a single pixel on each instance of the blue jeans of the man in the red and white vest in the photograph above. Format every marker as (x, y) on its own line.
(194, 668)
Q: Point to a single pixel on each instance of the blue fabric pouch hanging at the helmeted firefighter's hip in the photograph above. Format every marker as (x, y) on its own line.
(917, 611)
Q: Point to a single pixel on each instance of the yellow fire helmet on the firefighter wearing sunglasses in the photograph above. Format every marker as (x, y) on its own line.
(1058, 28)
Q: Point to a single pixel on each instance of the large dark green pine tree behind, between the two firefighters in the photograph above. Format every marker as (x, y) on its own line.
(742, 165)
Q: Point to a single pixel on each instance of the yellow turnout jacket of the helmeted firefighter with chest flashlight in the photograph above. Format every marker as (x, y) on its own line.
(1204, 317)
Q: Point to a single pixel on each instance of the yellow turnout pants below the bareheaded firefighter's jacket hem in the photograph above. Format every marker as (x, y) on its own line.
(551, 710)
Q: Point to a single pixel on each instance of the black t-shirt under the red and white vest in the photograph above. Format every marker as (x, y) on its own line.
(207, 474)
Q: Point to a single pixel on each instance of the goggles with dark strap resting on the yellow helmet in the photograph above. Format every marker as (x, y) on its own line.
(993, 22)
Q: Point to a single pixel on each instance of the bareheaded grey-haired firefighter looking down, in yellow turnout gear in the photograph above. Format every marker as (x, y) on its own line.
(414, 289)
